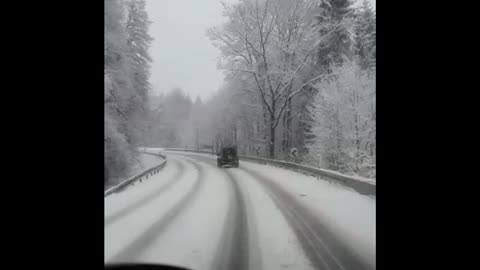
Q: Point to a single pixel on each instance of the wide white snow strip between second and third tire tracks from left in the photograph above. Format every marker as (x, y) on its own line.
(193, 237)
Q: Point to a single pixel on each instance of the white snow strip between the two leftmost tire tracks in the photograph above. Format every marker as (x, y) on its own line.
(124, 231)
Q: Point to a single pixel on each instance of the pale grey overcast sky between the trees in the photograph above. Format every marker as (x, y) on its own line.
(182, 54)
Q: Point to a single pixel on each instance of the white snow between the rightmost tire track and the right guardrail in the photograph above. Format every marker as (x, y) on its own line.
(347, 213)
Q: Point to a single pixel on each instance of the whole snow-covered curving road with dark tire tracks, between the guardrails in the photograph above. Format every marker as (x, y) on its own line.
(196, 215)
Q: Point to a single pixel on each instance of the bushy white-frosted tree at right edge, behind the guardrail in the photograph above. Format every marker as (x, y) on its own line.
(344, 121)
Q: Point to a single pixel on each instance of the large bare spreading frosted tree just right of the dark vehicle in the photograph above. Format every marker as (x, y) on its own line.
(280, 48)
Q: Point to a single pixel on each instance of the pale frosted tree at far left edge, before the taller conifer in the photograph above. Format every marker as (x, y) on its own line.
(117, 92)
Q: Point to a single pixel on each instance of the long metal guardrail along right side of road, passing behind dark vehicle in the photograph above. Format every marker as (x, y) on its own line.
(361, 185)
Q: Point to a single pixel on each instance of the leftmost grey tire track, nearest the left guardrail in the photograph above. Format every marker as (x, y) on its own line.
(157, 192)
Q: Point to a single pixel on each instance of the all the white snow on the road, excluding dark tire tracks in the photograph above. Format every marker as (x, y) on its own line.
(192, 238)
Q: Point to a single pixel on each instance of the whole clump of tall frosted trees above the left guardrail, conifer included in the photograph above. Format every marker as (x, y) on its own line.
(126, 82)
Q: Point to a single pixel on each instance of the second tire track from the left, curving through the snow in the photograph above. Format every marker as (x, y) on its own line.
(133, 250)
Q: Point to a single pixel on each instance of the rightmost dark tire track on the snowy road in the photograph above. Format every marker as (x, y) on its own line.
(319, 245)
